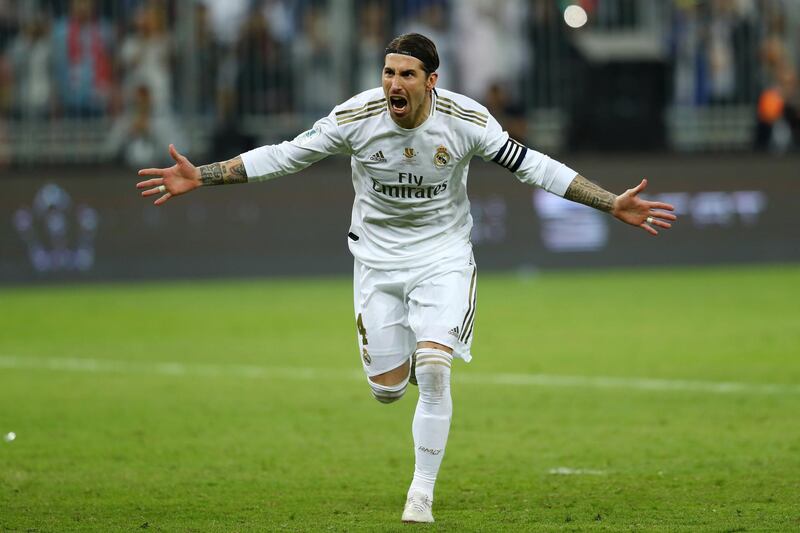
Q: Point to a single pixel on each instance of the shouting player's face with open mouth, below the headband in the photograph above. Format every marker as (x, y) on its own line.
(407, 88)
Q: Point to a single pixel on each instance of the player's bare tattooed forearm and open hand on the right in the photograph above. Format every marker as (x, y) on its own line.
(627, 207)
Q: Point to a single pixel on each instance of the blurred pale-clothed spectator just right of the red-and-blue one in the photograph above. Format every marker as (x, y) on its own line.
(145, 57)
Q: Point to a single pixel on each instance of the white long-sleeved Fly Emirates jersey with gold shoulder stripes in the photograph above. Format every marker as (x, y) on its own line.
(411, 207)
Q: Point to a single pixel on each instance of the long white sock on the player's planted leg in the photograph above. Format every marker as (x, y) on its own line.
(432, 418)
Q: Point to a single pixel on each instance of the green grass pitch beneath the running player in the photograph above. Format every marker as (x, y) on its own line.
(664, 400)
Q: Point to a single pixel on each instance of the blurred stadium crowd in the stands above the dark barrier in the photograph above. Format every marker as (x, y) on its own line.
(94, 80)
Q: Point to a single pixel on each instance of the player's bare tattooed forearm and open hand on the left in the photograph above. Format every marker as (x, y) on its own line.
(184, 177)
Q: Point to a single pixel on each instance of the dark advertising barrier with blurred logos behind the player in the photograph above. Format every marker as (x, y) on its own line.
(88, 223)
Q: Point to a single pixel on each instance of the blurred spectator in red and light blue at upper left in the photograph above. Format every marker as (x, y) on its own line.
(82, 61)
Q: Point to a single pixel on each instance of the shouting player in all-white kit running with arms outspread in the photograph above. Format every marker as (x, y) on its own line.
(414, 274)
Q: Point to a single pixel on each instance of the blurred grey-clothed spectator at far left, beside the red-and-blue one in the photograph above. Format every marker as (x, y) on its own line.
(30, 57)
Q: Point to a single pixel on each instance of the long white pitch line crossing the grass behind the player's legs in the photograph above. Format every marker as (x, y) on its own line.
(316, 374)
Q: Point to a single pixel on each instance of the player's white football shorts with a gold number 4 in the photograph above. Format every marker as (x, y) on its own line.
(397, 309)
